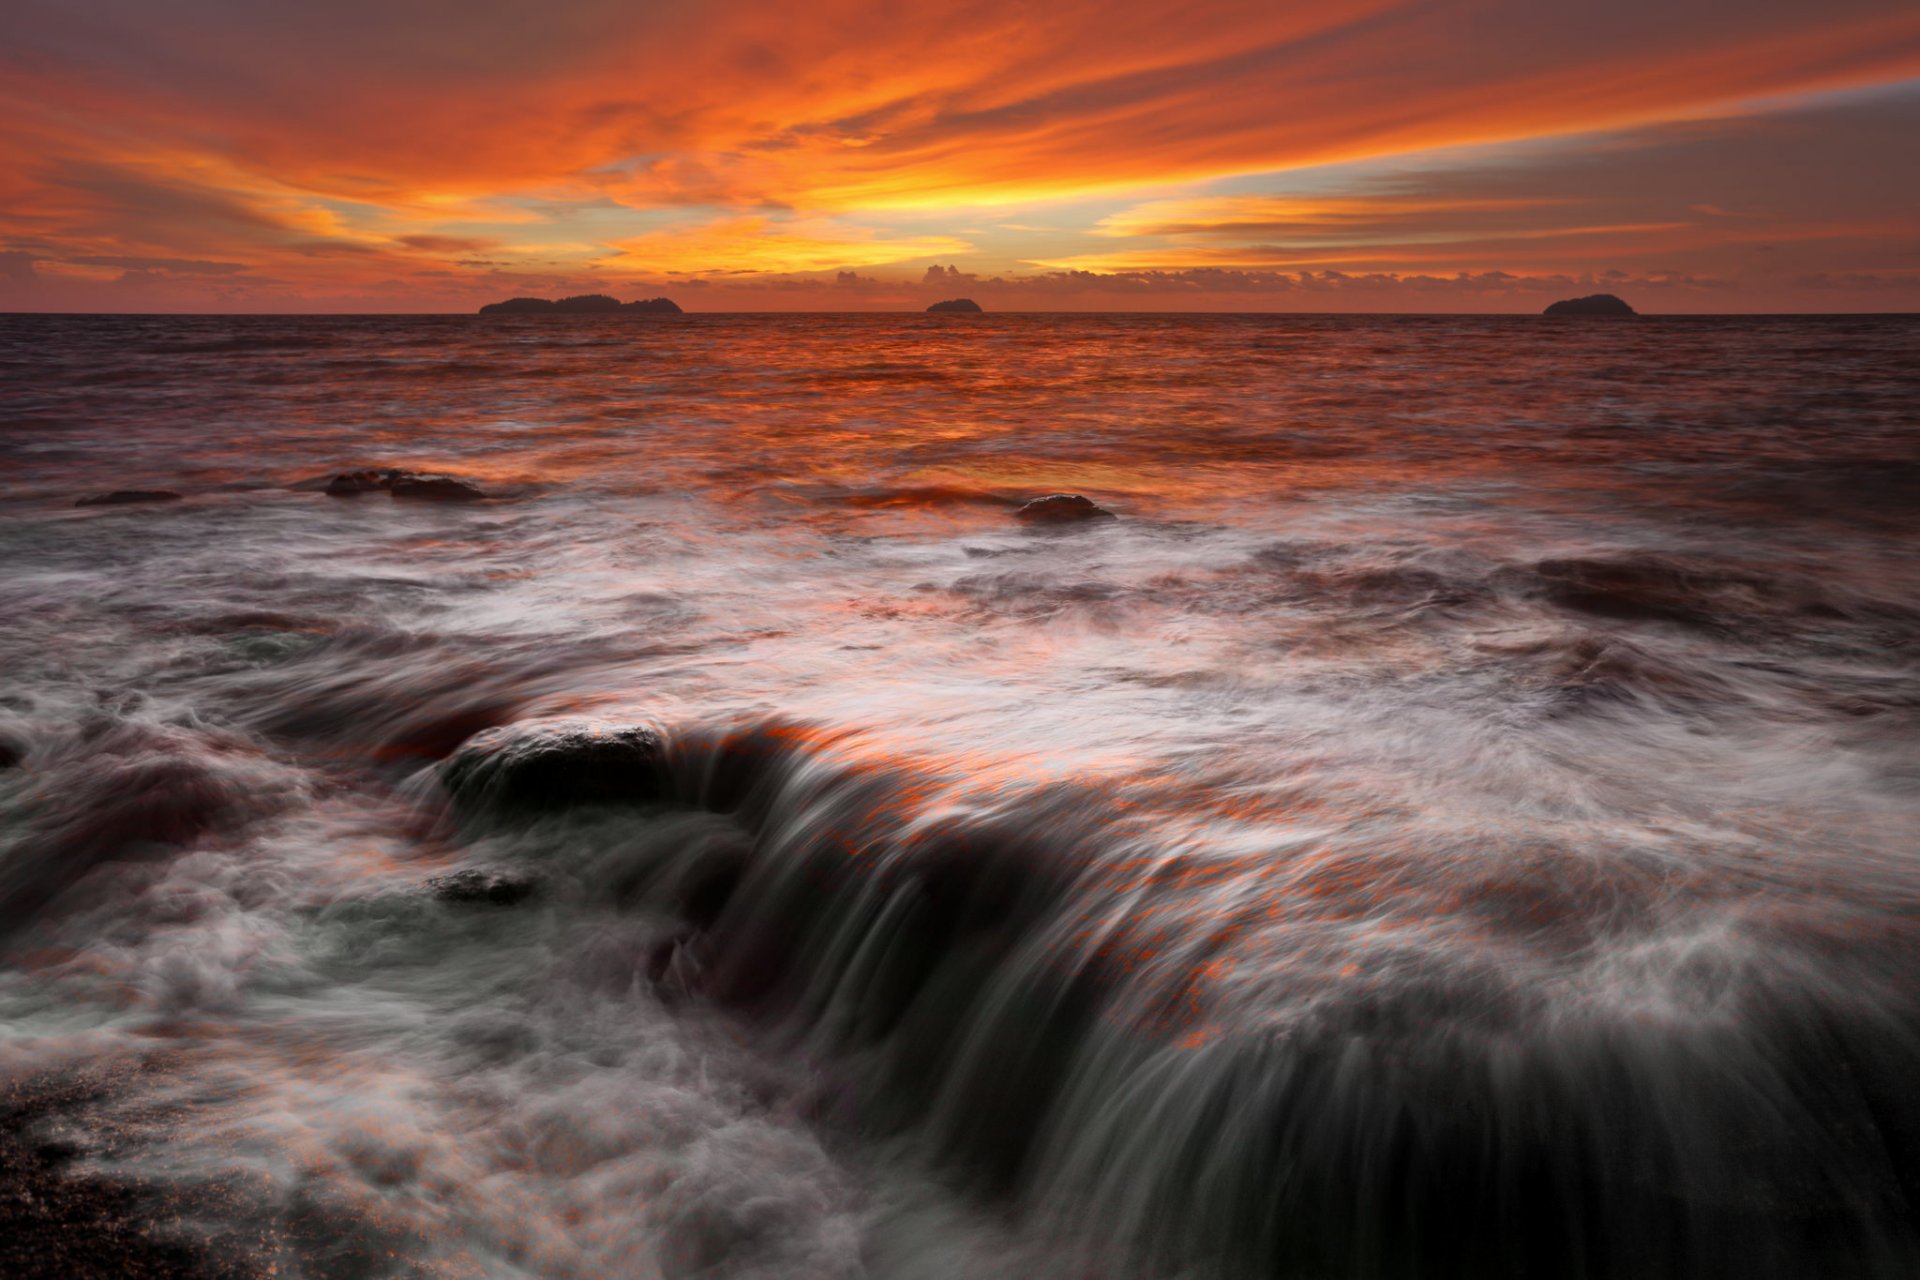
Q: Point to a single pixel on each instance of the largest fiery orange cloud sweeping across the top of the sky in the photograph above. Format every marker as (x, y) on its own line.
(863, 105)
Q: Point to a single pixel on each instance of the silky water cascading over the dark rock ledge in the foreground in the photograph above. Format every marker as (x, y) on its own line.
(1568, 1074)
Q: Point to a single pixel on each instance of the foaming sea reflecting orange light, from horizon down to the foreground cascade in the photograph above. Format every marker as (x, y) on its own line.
(1460, 818)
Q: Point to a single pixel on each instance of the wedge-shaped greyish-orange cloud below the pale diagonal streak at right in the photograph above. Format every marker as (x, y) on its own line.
(1810, 185)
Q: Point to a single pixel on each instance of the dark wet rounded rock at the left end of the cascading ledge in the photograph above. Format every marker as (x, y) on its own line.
(546, 767)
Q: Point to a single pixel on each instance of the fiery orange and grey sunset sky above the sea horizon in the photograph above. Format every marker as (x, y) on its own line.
(1694, 156)
